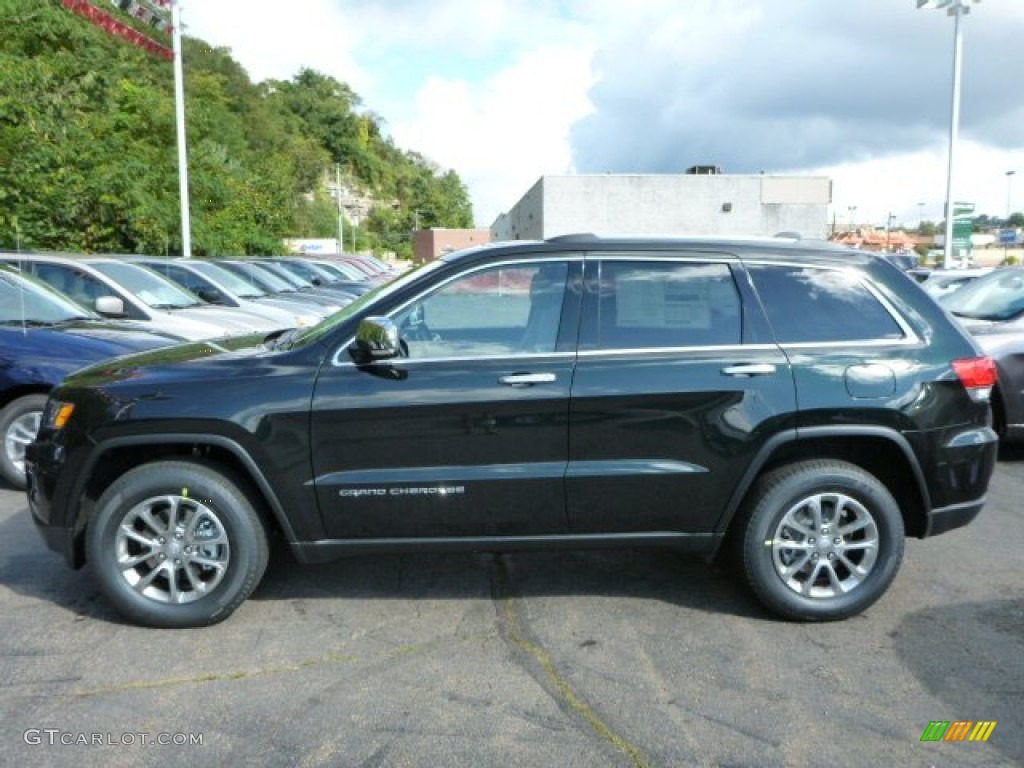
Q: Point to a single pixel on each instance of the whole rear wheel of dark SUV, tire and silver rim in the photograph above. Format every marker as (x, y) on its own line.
(824, 540)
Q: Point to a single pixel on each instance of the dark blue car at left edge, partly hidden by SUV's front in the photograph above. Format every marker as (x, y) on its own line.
(45, 337)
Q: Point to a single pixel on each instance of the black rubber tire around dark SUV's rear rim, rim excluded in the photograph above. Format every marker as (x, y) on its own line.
(780, 493)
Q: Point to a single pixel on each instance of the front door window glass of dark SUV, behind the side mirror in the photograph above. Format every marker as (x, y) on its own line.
(498, 312)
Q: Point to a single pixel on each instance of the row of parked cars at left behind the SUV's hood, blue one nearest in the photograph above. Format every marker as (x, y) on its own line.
(62, 313)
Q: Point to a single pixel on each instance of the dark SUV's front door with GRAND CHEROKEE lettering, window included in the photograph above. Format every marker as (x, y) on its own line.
(467, 436)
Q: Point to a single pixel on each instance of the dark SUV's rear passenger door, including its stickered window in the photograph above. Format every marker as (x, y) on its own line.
(677, 382)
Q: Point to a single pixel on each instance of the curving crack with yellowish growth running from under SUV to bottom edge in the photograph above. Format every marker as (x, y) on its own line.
(515, 631)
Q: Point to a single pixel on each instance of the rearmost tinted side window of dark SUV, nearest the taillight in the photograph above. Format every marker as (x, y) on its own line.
(813, 305)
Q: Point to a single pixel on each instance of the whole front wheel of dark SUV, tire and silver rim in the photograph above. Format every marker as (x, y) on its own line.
(194, 573)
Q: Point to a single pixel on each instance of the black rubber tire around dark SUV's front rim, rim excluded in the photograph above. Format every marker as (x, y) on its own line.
(246, 537)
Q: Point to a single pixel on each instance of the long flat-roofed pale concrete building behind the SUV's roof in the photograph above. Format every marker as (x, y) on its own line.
(670, 204)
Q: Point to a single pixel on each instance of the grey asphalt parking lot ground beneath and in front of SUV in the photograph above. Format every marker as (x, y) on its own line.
(585, 659)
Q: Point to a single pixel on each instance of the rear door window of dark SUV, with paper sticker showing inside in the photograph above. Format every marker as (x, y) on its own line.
(637, 306)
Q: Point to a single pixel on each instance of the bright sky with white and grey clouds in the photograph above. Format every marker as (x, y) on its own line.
(505, 92)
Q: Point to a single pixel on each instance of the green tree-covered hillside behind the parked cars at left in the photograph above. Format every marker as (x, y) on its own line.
(89, 159)
